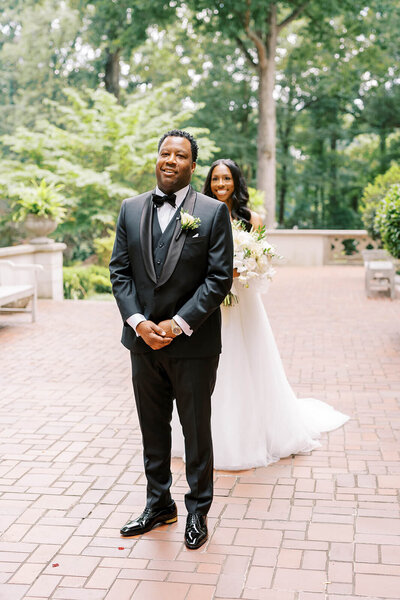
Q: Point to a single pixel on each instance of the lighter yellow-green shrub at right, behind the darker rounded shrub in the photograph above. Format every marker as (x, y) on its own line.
(373, 195)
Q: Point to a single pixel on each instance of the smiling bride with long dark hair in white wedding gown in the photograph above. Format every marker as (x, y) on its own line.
(256, 417)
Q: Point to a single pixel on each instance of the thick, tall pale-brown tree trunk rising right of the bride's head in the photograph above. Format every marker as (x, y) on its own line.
(266, 139)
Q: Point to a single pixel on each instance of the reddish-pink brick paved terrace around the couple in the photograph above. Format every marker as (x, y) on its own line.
(319, 527)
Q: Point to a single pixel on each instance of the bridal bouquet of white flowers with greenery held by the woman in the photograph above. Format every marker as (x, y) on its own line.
(251, 259)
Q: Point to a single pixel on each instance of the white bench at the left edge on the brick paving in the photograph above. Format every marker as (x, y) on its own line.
(18, 287)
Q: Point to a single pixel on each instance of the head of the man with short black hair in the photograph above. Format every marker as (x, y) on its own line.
(174, 166)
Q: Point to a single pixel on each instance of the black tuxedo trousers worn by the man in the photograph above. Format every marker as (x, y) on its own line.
(158, 379)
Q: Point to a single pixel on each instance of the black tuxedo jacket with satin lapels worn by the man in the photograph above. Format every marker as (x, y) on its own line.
(196, 276)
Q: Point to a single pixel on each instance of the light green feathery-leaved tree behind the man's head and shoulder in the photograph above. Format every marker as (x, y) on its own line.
(98, 153)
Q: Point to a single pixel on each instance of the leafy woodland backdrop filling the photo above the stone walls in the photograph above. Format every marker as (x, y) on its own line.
(308, 91)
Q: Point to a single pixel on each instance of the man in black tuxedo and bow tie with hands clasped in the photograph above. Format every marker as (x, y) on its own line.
(169, 274)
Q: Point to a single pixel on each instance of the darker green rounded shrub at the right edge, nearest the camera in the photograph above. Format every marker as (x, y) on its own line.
(387, 221)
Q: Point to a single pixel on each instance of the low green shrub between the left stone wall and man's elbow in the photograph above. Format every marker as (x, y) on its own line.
(80, 281)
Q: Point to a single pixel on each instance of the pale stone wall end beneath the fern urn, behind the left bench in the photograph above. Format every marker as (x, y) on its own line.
(50, 280)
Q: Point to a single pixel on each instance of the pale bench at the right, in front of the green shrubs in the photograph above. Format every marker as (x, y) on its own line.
(380, 271)
